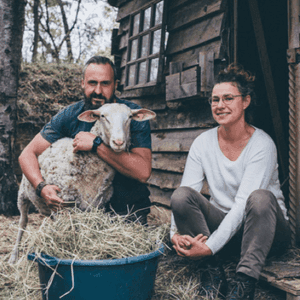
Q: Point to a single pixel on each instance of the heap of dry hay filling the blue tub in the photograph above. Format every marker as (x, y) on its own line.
(94, 235)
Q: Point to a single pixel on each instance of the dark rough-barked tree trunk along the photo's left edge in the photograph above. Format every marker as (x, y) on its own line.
(12, 16)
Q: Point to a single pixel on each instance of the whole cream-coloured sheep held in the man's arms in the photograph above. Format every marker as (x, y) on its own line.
(82, 177)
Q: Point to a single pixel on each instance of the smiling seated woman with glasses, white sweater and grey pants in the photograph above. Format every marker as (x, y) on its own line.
(246, 210)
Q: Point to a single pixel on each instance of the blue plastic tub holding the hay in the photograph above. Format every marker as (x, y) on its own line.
(126, 278)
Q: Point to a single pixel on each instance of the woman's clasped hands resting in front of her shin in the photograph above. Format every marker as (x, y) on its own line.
(193, 248)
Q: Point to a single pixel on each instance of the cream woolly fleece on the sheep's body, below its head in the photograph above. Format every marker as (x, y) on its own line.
(82, 177)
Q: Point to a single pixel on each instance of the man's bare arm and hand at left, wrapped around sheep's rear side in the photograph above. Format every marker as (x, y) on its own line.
(28, 161)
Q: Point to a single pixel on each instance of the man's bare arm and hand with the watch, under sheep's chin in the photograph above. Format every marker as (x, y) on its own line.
(135, 164)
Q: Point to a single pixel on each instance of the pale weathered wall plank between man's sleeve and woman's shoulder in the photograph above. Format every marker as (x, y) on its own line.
(174, 141)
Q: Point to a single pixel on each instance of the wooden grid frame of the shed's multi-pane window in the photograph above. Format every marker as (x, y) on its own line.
(149, 57)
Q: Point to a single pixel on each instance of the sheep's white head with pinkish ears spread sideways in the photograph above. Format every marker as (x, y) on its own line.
(113, 123)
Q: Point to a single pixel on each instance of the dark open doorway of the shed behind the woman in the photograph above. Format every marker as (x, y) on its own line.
(273, 15)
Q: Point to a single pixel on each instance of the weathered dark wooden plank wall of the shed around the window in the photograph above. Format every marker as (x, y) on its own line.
(197, 46)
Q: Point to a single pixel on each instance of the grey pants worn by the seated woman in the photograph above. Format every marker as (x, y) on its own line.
(264, 229)
